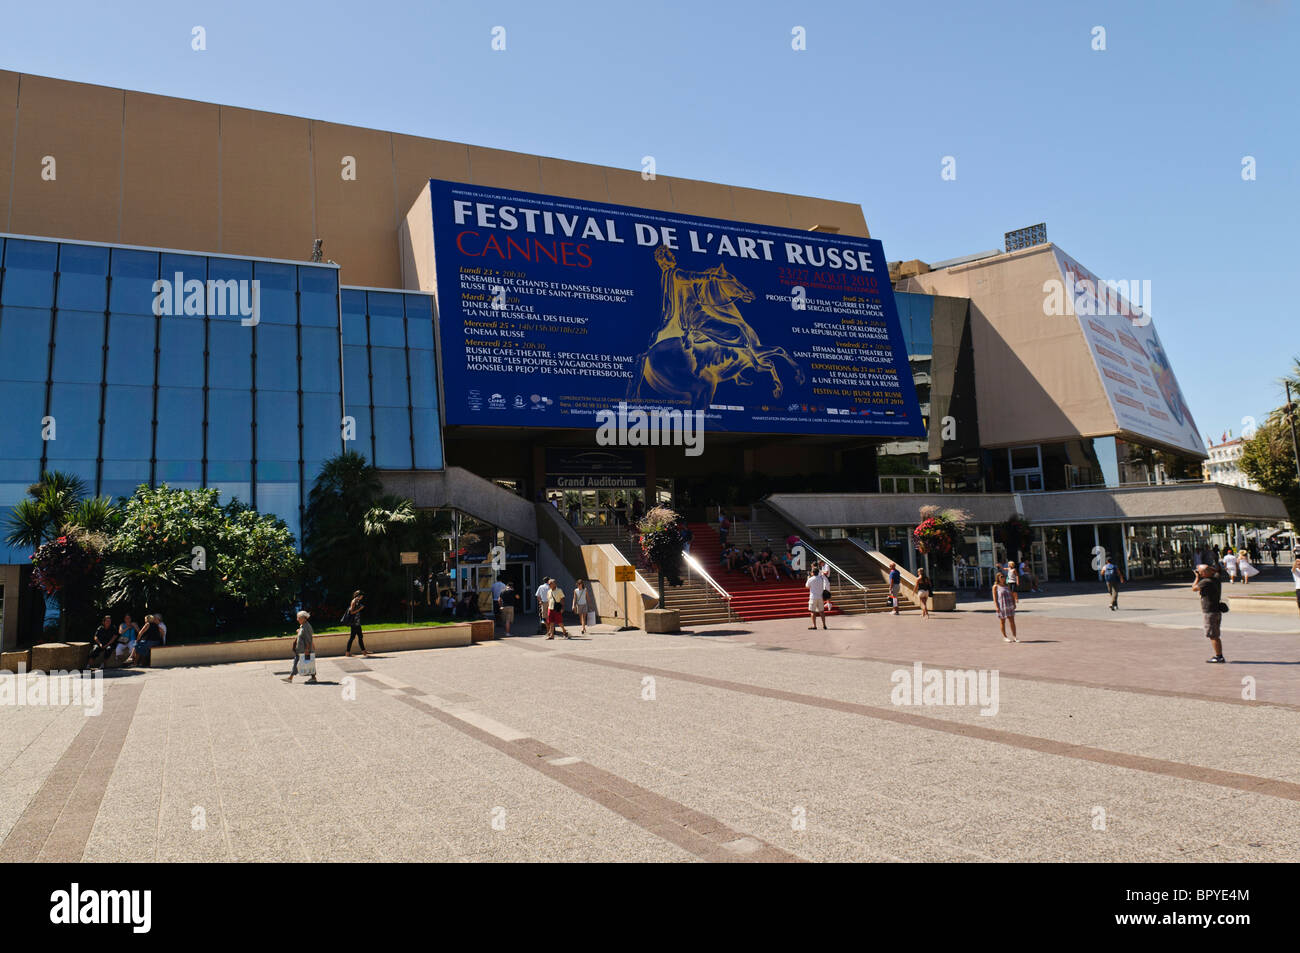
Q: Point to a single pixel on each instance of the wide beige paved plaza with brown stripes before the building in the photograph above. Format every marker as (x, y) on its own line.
(1108, 739)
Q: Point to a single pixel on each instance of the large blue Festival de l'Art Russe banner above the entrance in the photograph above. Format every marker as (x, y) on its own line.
(554, 310)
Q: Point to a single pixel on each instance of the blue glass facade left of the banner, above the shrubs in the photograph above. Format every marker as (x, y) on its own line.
(94, 383)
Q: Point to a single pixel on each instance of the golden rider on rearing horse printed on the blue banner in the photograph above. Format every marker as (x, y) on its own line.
(703, 340)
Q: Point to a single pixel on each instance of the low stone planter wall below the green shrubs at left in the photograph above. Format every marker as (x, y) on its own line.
(327, 646)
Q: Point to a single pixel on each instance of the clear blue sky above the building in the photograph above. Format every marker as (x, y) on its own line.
(1133, 155)
